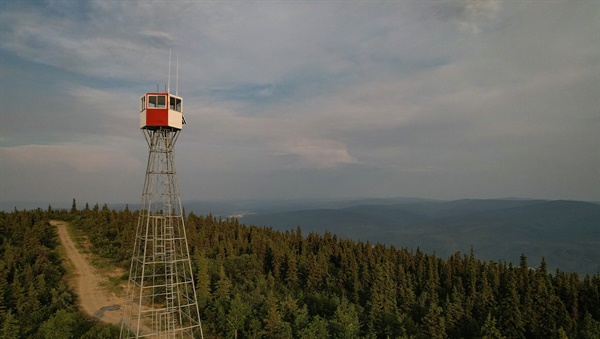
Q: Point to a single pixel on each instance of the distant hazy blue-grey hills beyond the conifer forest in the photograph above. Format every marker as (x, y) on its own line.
(566, 233)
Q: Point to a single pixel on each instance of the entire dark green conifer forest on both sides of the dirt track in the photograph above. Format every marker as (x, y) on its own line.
(256, 282)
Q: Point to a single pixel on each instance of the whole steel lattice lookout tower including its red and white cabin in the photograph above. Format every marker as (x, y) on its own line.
(161, 298)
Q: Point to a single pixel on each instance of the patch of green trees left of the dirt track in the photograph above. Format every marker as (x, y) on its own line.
(34, 298)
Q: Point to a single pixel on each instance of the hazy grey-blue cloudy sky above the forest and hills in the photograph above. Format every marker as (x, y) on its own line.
(304, 99)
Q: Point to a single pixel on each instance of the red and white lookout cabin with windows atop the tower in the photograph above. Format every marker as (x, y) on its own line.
(161, 110)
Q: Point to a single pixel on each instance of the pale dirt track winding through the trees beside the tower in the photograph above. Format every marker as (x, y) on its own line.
(93, 299)
